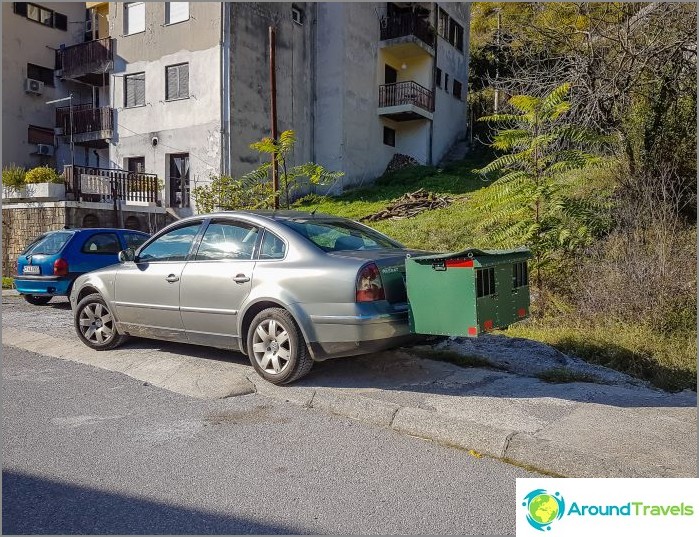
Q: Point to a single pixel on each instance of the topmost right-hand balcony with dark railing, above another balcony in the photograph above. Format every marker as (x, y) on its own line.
(407, 34)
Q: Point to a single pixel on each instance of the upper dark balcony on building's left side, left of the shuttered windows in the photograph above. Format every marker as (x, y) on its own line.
(86, 62)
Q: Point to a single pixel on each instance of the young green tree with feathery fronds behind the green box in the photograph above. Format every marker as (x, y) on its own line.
(530, 202)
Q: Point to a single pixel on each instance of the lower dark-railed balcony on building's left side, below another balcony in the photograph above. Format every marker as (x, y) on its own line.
(92, 127)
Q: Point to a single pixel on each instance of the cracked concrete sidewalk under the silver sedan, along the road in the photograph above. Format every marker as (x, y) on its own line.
(576, 429)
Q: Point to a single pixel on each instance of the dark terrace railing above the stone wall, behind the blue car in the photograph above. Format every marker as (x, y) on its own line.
(100, 184)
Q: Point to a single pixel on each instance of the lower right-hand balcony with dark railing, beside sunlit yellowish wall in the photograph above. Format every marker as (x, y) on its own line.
(405, 101)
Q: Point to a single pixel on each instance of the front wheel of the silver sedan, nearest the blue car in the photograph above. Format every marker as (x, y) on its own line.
(95, 325)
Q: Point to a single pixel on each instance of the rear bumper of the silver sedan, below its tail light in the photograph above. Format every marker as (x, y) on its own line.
(350, 335)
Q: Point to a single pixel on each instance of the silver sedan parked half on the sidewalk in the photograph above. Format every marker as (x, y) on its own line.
(286, 288)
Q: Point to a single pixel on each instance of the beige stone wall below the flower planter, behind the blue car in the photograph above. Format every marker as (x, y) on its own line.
(19, 226)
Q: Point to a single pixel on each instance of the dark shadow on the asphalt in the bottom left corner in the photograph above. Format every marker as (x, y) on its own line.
(34, 505)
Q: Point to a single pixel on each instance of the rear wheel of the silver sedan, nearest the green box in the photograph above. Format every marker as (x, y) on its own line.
(276, 347)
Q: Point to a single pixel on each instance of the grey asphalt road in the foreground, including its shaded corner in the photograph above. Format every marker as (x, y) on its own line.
(89, 451)
